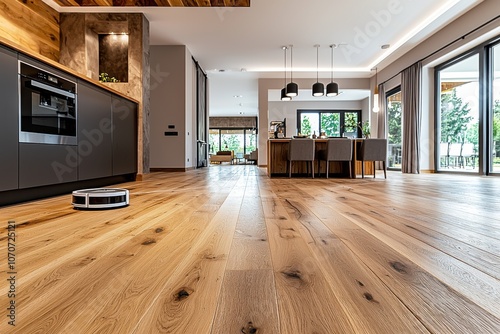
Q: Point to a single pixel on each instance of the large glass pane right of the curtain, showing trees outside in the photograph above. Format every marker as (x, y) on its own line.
(459, 110)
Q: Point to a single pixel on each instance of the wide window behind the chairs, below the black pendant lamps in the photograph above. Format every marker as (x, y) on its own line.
(334, 123)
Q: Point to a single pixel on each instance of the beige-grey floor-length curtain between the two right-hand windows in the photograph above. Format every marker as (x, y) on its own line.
(411, 105)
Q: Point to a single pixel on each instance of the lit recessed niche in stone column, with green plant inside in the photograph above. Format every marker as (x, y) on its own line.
(113, 57)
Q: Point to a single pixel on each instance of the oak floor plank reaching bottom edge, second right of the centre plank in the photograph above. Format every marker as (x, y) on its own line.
(359, 293)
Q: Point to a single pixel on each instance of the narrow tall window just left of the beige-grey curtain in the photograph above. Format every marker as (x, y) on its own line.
(394, 128)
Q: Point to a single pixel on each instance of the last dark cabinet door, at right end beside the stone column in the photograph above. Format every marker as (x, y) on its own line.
(124, 136)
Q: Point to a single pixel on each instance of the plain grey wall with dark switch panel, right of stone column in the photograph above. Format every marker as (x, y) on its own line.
(172, 103)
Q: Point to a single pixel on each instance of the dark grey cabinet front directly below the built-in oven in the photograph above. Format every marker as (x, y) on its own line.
(47, 164)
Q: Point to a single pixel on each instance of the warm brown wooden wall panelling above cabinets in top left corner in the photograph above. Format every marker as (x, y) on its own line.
(31, 24)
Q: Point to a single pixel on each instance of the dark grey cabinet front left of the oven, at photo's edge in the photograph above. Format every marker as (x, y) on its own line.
(9, 124)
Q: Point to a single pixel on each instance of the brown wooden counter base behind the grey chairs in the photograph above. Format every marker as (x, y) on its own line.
(277, 160)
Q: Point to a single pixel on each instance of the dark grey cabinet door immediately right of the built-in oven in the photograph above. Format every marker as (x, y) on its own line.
(94, 131)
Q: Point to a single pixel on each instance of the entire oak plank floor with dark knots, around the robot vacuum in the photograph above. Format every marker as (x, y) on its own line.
(225, 249)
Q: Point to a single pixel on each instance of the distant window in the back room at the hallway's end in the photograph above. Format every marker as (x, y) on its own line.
(241, 141)
